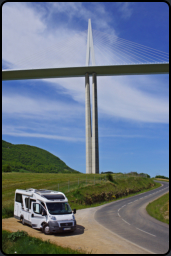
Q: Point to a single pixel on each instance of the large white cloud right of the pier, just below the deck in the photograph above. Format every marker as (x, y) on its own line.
(121, 99)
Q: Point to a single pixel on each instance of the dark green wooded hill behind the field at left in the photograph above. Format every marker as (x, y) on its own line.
(25, 158)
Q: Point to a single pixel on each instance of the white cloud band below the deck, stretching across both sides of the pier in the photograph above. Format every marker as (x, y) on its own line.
(118, 97)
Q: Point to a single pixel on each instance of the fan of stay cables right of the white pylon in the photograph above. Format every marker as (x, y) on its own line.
(112, 50)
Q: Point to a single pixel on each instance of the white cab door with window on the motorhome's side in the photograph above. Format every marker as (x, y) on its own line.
(36, 215)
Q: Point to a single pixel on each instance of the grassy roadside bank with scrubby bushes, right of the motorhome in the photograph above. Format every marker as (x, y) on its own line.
(98, 194)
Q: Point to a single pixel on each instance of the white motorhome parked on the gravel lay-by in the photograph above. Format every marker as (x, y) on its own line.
(44, 209)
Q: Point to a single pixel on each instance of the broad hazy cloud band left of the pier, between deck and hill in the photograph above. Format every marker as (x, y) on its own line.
(34, 108)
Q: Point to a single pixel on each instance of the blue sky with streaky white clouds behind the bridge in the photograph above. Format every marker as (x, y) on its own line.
(133, 111)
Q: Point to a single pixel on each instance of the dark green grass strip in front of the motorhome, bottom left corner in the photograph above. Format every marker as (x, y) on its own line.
(11, 244)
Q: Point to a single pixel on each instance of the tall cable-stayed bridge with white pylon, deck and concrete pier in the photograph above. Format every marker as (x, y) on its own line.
(106, 55)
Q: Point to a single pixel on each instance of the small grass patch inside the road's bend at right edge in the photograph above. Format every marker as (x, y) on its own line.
(159, 209)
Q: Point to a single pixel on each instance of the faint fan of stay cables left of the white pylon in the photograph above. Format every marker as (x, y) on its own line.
(68, 51)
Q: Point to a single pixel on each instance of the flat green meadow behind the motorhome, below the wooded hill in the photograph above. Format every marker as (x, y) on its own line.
(14, 180)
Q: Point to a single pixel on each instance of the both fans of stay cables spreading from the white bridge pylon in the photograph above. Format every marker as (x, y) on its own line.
(70, 51)
